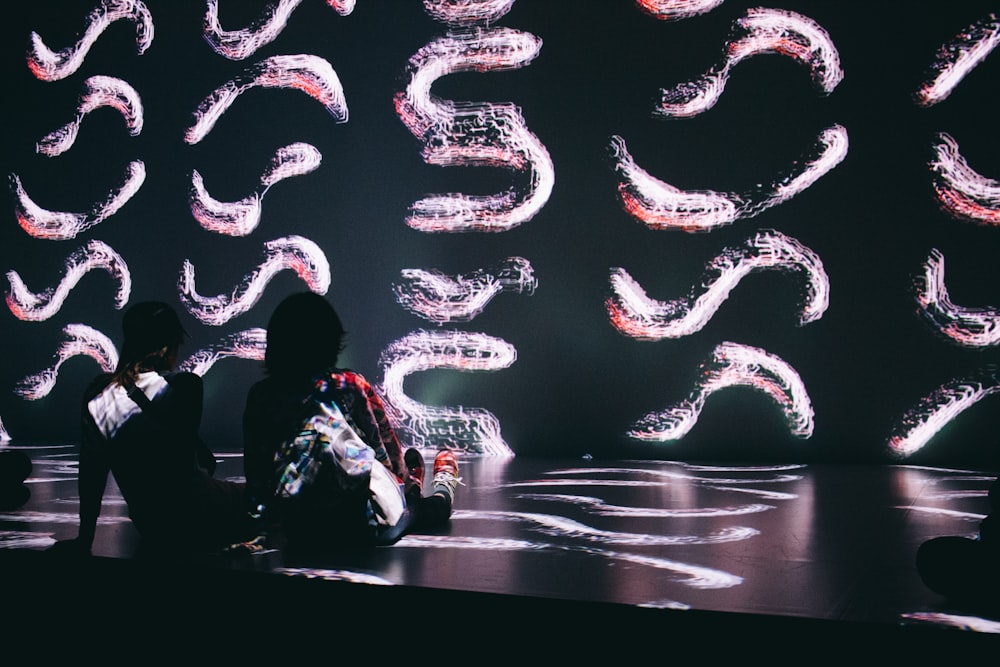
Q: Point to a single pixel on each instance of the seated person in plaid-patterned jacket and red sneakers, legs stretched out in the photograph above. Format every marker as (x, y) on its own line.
(305, 337)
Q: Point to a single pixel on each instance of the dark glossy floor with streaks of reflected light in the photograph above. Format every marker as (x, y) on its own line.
(686, 548)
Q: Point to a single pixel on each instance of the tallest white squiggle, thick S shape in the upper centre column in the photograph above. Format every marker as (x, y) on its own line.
(474, 134)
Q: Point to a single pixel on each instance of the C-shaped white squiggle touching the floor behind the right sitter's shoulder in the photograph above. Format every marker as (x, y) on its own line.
(472, 429)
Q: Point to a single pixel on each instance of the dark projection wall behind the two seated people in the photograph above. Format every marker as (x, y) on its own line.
(578, 385)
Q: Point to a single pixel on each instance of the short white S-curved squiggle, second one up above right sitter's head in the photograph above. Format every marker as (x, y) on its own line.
(242, 217)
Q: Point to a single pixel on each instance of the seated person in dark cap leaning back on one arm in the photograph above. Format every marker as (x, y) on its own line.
(140, 423)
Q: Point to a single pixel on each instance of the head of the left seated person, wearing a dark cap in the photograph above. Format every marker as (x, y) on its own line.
(152, 334)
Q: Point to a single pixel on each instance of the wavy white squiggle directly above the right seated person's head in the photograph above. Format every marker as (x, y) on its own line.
(293, 253)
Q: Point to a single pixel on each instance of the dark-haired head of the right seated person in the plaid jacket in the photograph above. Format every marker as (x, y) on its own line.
(304, 336)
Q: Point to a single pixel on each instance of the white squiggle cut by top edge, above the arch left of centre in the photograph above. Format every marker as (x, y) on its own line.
(244, 42)
